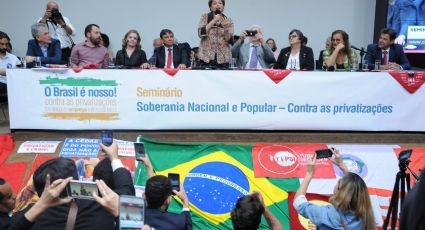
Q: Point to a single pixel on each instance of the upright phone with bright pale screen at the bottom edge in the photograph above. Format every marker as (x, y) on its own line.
(132, 212)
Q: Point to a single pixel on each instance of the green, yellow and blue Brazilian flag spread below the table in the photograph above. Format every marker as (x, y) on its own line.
(214, 177)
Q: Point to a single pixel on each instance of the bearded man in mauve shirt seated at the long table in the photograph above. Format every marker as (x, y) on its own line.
(90, 51)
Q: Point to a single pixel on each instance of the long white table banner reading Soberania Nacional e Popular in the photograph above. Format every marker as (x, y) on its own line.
(66, 99)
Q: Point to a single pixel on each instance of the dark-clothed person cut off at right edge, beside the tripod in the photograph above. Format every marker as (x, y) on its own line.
(412, 214)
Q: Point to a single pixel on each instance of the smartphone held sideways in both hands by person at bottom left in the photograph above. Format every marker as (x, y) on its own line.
(82, 189)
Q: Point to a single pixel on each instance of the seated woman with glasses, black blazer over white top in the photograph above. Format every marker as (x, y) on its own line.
(296, 56)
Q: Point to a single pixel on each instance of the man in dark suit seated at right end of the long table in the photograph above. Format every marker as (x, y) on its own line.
(391, 55)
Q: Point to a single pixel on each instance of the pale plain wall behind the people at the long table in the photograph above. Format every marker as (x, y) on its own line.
(316, 19)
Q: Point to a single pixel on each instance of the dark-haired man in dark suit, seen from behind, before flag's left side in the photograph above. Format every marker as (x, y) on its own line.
(158, 194)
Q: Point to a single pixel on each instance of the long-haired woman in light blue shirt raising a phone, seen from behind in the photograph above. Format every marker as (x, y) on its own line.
(350, 204)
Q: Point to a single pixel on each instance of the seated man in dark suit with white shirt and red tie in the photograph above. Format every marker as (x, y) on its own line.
(170, 55)
